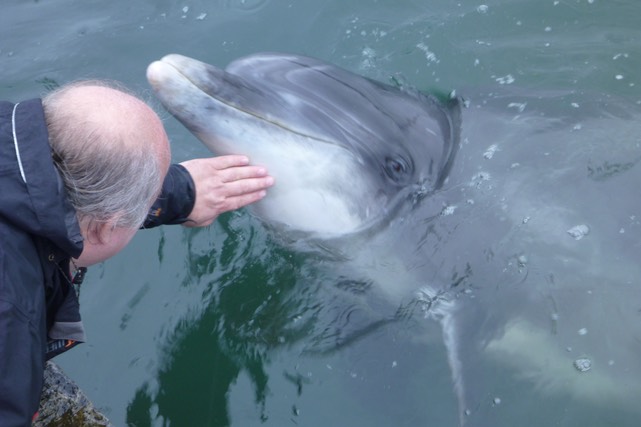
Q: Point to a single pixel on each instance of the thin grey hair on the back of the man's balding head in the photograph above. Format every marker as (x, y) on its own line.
(106, 180)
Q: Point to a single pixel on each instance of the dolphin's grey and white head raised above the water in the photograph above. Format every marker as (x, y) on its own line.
(344, 149)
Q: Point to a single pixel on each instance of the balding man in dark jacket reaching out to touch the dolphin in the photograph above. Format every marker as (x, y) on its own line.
(80, 172)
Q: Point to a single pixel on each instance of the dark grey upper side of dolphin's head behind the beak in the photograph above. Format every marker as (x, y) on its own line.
(321, 98)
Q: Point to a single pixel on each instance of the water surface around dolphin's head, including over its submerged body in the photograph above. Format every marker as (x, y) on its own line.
(226, 326)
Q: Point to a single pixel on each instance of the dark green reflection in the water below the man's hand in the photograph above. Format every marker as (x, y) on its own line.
(246, 316)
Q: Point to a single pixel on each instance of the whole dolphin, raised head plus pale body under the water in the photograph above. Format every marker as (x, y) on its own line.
(475, 233)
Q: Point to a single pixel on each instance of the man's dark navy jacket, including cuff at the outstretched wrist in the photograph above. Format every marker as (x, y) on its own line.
(39, 233)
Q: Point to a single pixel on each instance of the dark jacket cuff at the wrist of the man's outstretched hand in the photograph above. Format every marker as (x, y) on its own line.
(176, 199)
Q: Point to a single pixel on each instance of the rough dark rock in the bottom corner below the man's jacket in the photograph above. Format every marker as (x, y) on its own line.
(63, 404)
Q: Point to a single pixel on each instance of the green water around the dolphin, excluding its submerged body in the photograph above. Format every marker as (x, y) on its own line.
(223, 326)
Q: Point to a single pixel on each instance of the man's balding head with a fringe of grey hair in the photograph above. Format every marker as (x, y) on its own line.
(113, 154)
